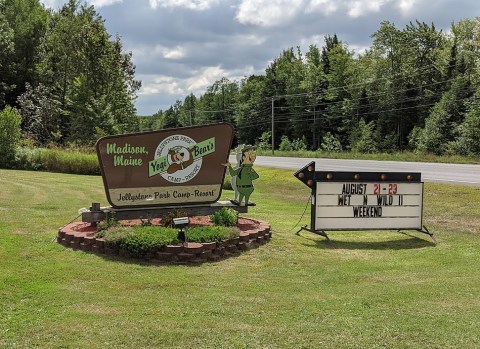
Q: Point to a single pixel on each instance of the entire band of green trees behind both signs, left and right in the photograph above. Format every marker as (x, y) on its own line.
(416, 88)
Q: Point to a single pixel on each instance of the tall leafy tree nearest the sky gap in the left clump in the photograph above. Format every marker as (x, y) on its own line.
(90, 74)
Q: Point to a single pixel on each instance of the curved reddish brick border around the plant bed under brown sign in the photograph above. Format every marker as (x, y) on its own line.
(185, 253)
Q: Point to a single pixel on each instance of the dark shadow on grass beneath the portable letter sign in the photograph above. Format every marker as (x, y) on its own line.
(409, 242)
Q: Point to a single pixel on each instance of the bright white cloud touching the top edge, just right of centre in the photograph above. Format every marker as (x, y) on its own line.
(268, 13)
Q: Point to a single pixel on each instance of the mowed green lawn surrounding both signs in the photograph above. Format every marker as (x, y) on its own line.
(374, 289)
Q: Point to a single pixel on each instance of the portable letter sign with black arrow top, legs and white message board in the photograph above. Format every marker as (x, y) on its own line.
(364, 200)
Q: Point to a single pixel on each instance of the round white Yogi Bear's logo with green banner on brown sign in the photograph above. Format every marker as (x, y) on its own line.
(178, 158)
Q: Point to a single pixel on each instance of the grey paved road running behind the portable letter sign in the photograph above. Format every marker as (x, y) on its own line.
(431, 172)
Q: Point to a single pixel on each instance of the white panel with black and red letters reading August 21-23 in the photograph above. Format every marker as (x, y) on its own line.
(368, 205)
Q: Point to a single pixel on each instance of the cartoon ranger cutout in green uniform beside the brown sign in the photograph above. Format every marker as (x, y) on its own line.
(245, 175)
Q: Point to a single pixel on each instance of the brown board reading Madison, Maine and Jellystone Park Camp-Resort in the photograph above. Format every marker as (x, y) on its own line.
(171, 167)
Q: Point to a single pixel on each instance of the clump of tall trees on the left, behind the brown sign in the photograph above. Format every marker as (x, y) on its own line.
(66, 77)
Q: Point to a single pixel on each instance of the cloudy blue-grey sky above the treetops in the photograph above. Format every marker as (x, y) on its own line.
(183, 46)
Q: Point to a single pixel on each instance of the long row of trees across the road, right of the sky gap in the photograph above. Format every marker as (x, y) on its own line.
(416, 88)
